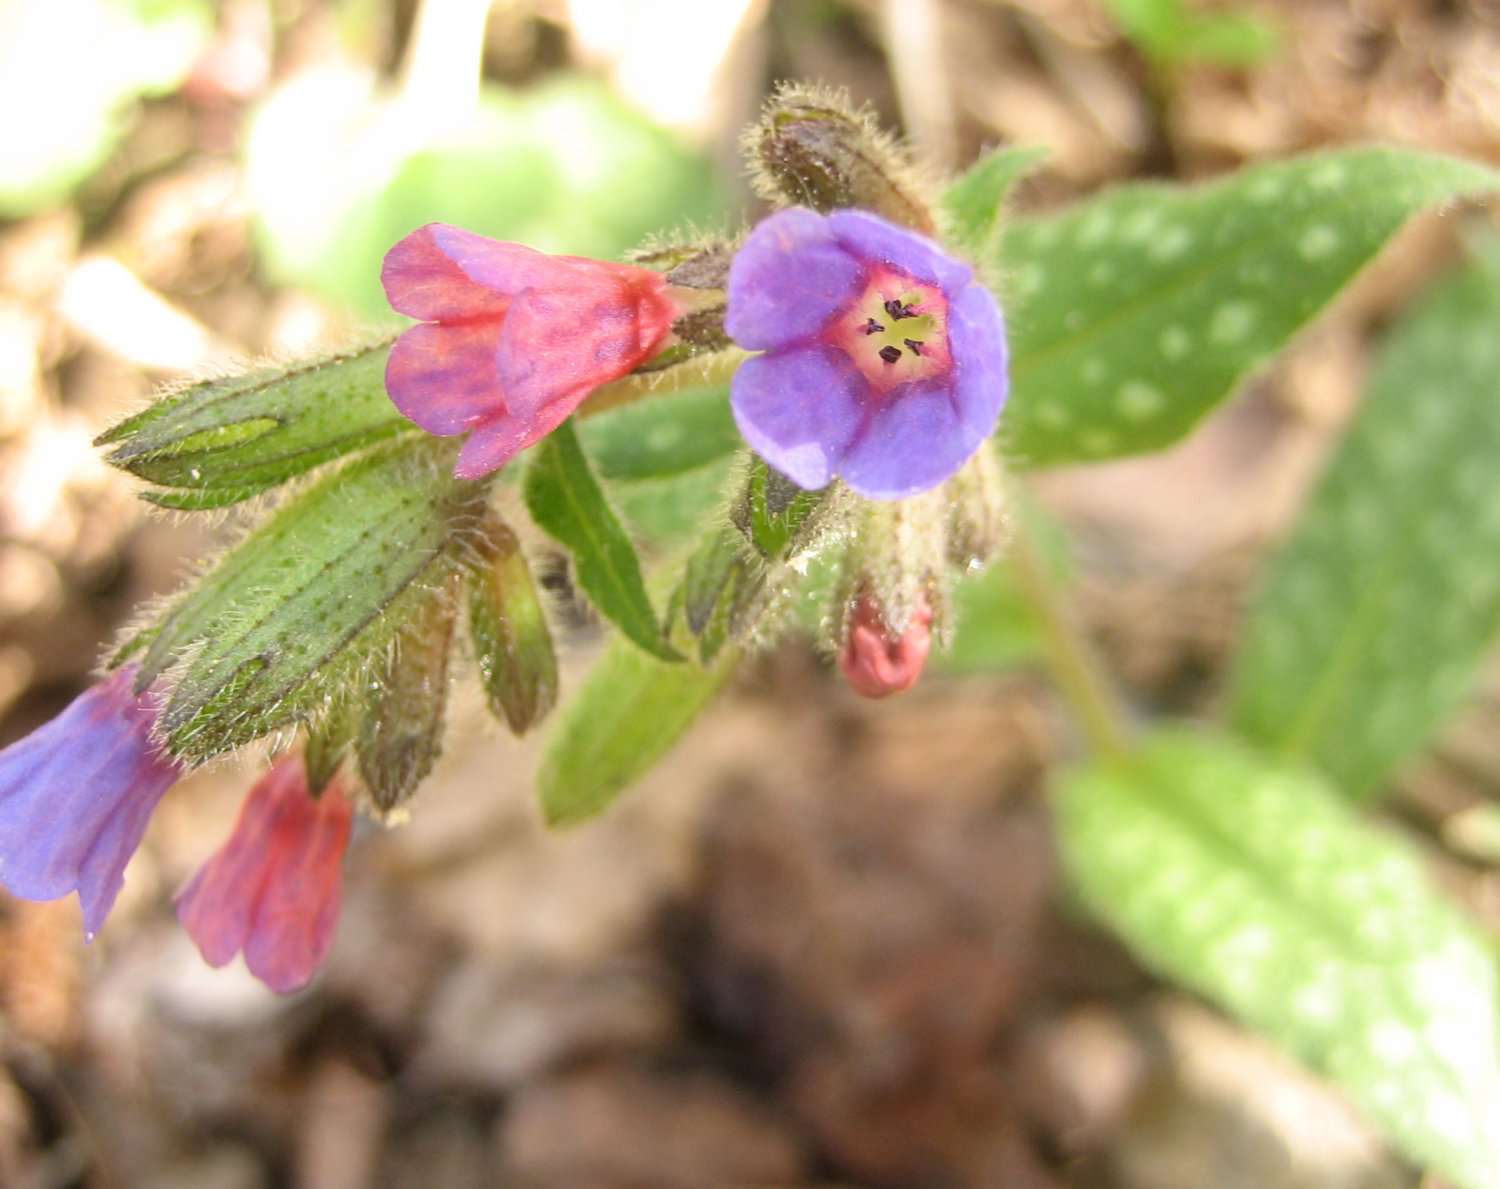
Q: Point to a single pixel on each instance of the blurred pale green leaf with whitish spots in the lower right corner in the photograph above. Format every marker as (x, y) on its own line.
(1250, 882)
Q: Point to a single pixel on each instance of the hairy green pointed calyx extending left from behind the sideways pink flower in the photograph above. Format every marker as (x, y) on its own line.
(230, 440)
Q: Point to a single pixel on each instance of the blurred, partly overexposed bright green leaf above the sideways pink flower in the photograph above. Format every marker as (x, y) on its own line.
(340, 173)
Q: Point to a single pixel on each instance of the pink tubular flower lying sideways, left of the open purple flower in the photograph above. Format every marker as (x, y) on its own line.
(512, 340)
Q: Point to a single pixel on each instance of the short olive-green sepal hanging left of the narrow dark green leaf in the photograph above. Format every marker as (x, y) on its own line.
(509, 630)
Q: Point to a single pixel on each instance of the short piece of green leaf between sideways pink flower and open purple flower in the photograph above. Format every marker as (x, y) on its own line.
(664, 437)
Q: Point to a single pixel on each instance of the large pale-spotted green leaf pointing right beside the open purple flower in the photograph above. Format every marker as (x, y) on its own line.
(1138, 313)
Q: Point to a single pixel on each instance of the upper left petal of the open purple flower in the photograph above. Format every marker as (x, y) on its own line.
(788, 281)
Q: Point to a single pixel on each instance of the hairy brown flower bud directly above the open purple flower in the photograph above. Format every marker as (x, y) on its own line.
(814, 149)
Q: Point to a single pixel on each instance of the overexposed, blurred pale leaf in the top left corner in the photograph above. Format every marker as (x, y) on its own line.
(80, 64)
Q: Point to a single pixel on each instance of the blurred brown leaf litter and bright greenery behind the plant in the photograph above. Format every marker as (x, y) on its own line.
(823, 945)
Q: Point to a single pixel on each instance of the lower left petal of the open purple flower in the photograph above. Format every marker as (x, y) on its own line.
(800, 410)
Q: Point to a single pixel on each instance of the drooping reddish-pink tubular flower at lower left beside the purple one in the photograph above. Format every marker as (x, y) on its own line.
(274, 888)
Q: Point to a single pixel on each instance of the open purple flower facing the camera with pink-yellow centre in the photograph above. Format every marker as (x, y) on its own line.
(884, 359)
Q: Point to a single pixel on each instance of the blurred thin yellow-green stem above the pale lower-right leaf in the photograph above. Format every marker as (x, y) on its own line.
(1070, 656)
